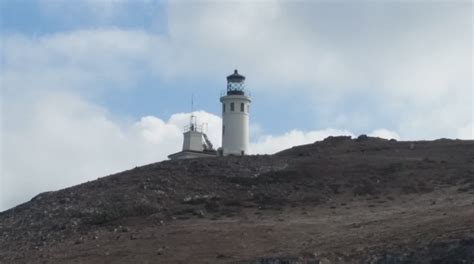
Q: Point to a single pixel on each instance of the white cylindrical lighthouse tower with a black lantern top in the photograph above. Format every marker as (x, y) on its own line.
(235, 116)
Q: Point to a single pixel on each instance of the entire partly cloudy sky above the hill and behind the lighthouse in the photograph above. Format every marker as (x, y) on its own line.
(94, 87)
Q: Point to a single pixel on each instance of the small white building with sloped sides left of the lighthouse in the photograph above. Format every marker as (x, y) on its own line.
(195, 143)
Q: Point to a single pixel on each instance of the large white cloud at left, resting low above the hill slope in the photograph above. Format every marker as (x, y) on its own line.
(58, 140)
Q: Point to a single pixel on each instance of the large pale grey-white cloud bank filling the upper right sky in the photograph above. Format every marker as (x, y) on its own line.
(413, 60)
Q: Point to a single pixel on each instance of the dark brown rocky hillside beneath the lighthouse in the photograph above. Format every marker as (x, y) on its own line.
(341, 200)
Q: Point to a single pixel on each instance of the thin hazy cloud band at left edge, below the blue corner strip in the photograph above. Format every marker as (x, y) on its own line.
(86, 61)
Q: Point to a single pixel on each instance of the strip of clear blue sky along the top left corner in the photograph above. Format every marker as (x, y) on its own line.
(35, 17)
